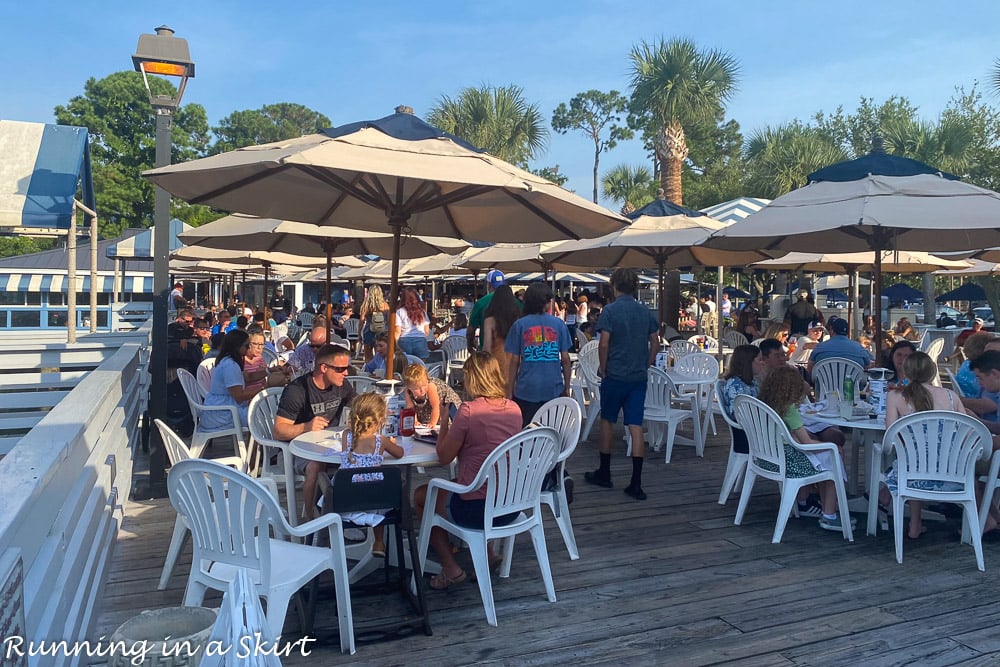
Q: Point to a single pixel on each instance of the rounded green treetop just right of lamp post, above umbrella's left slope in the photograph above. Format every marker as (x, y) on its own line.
(272, 122)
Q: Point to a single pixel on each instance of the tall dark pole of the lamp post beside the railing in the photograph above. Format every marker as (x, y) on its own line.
(161, 289)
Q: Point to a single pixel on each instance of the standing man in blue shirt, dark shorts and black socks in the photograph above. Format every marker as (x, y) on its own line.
(628, 343)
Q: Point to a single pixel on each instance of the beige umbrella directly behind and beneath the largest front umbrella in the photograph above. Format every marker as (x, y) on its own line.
(247, 232)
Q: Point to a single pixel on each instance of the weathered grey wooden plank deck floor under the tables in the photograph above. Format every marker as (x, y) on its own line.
(668, 581)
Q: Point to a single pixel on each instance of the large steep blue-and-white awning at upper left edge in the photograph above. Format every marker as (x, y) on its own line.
(40, 169)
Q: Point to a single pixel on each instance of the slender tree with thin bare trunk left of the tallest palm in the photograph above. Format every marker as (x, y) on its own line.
(591, 113)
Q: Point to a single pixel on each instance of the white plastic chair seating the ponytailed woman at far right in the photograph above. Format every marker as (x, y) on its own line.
(935, 445)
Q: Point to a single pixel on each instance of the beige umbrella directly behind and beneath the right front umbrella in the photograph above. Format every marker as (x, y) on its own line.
(898, 261)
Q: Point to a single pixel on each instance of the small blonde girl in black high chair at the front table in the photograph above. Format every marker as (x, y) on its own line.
(365, 447)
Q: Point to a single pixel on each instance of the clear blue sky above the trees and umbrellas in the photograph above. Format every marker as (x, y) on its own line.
(359, 60)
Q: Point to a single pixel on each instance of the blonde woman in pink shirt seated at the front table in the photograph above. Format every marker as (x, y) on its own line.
(480, 426)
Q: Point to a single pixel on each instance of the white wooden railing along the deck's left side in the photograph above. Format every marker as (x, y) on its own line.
(62, 481)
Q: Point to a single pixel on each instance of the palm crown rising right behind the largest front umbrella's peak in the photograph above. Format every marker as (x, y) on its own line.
(497, 119)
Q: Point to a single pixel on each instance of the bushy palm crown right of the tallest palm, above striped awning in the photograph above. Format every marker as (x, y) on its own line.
(780, 159)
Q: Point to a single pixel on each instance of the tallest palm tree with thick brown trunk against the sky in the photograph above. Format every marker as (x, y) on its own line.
(676, 85)
